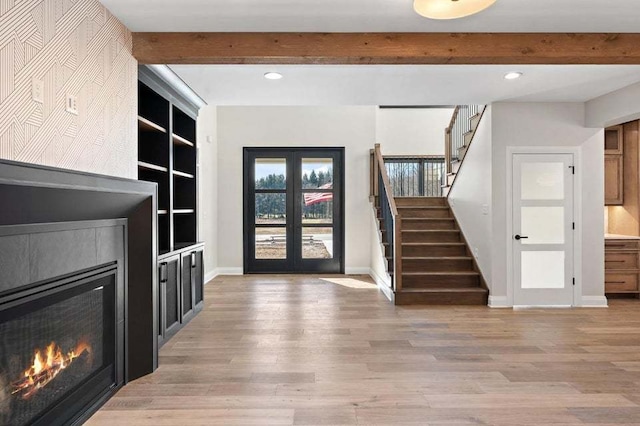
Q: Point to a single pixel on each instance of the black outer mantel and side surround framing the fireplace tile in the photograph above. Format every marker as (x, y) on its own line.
(33, 194)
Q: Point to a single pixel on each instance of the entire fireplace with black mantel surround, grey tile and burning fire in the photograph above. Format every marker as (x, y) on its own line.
(77, 318)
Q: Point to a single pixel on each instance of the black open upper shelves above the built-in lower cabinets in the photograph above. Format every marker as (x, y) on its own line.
(167, 155)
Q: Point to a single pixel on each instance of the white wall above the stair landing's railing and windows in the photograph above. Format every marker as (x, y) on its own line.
(412, 131)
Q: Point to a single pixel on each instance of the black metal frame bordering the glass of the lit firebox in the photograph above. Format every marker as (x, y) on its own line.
(78, 405)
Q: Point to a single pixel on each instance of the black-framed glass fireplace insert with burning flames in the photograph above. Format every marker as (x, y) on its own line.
(58, 348)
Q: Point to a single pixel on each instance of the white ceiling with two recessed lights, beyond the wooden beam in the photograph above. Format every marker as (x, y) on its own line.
(402, 84)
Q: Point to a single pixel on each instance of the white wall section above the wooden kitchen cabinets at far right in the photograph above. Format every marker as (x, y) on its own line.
(613, 108)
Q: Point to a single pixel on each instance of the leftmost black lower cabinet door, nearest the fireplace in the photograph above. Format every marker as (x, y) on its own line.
(169, 297)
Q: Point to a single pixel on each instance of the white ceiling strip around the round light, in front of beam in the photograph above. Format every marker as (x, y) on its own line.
(372, 16)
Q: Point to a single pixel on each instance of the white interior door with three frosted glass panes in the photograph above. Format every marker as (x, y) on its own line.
(543, 229)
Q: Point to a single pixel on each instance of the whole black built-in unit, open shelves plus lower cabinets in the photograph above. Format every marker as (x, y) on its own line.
(167, 155)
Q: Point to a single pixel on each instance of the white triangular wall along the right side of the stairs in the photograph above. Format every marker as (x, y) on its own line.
(472, 193)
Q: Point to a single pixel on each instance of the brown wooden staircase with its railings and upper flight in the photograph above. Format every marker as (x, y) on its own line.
(428, 259)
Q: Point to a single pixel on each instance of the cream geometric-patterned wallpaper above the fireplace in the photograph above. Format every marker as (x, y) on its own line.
(75, 47)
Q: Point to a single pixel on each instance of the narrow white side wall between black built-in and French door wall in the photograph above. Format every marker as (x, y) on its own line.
(208, 186)
